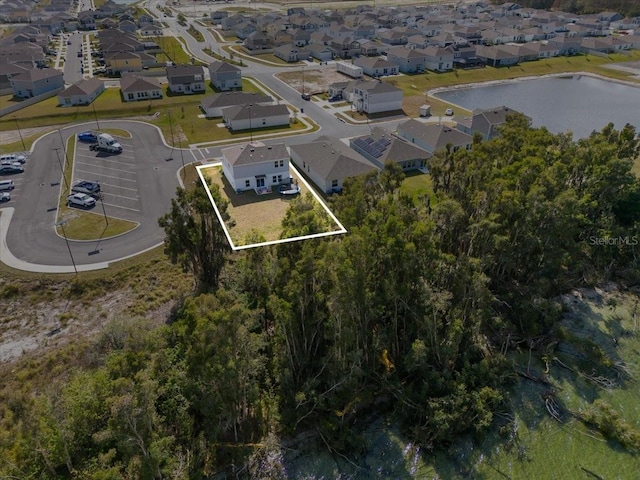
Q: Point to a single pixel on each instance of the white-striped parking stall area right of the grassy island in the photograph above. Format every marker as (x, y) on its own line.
(117, 177)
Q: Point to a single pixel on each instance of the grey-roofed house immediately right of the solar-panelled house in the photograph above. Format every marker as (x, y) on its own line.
(434, 137)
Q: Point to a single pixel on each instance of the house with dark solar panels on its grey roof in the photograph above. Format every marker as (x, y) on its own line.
(381, 146)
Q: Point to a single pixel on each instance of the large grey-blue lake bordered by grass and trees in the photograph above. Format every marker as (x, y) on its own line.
(578, 103)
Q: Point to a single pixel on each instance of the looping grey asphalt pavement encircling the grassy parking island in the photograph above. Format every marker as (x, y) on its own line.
(139, 185)
